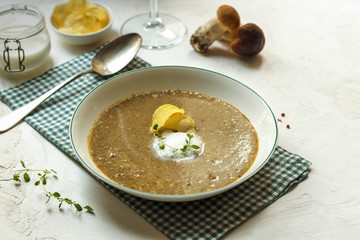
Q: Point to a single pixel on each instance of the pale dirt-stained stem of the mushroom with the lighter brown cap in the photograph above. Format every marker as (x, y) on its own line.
(206, 34)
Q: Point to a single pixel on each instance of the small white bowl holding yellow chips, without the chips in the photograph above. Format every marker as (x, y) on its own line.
(82, 39)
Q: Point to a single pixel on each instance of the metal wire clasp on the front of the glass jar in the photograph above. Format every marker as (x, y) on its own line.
(13, 55)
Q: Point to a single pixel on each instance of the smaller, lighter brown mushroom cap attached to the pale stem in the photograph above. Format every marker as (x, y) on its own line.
(228, 17)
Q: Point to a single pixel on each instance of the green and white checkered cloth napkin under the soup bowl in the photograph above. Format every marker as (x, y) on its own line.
(204, 219)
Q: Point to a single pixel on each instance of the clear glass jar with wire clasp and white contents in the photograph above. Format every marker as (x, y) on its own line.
(24, 39)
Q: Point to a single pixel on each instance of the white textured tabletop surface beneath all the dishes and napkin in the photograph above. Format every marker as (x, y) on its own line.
(308, 69)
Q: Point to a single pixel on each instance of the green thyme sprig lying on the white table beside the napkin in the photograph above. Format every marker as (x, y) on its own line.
(43, 174)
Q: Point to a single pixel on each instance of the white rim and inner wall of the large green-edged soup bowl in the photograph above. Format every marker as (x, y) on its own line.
(174, 77)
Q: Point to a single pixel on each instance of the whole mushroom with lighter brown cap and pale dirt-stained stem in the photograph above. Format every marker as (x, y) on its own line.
(227, 20)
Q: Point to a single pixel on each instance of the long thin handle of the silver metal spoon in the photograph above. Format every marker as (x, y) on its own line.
(11, 119)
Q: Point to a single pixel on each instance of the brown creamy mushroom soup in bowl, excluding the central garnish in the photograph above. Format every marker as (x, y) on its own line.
(120, 143)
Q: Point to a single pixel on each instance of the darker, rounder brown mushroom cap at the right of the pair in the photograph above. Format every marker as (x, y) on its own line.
(250, 41)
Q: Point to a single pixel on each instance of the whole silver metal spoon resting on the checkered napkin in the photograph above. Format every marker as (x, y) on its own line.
(109, 60)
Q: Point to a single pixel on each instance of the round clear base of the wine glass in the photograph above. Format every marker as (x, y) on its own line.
(168, 32)
